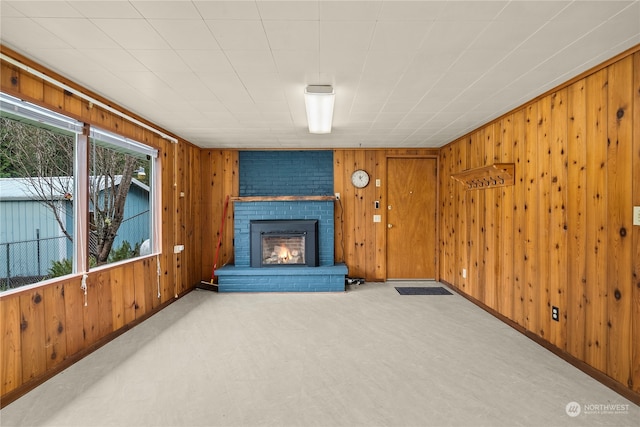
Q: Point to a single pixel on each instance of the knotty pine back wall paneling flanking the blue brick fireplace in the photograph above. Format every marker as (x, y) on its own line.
(359, 242)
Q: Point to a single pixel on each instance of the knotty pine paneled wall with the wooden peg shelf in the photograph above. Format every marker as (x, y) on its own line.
(562, 235)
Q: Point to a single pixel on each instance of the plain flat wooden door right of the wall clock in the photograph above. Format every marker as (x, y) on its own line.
(411, 218)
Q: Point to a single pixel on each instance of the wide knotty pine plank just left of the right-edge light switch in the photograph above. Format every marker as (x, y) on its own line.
(619, 208)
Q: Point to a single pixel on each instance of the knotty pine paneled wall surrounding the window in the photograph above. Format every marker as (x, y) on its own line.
(43, 329)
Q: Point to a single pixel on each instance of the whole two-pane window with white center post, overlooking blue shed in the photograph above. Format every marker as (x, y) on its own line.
(47, 187)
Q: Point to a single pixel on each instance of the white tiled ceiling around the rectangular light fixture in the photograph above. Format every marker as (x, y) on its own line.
(231, 74)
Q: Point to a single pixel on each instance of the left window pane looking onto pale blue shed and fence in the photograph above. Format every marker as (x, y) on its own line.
(36, 193)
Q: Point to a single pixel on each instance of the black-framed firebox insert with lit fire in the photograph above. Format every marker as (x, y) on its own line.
(279, 243)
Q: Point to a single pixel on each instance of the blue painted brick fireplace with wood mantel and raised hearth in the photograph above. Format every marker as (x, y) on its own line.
(267, 180)
